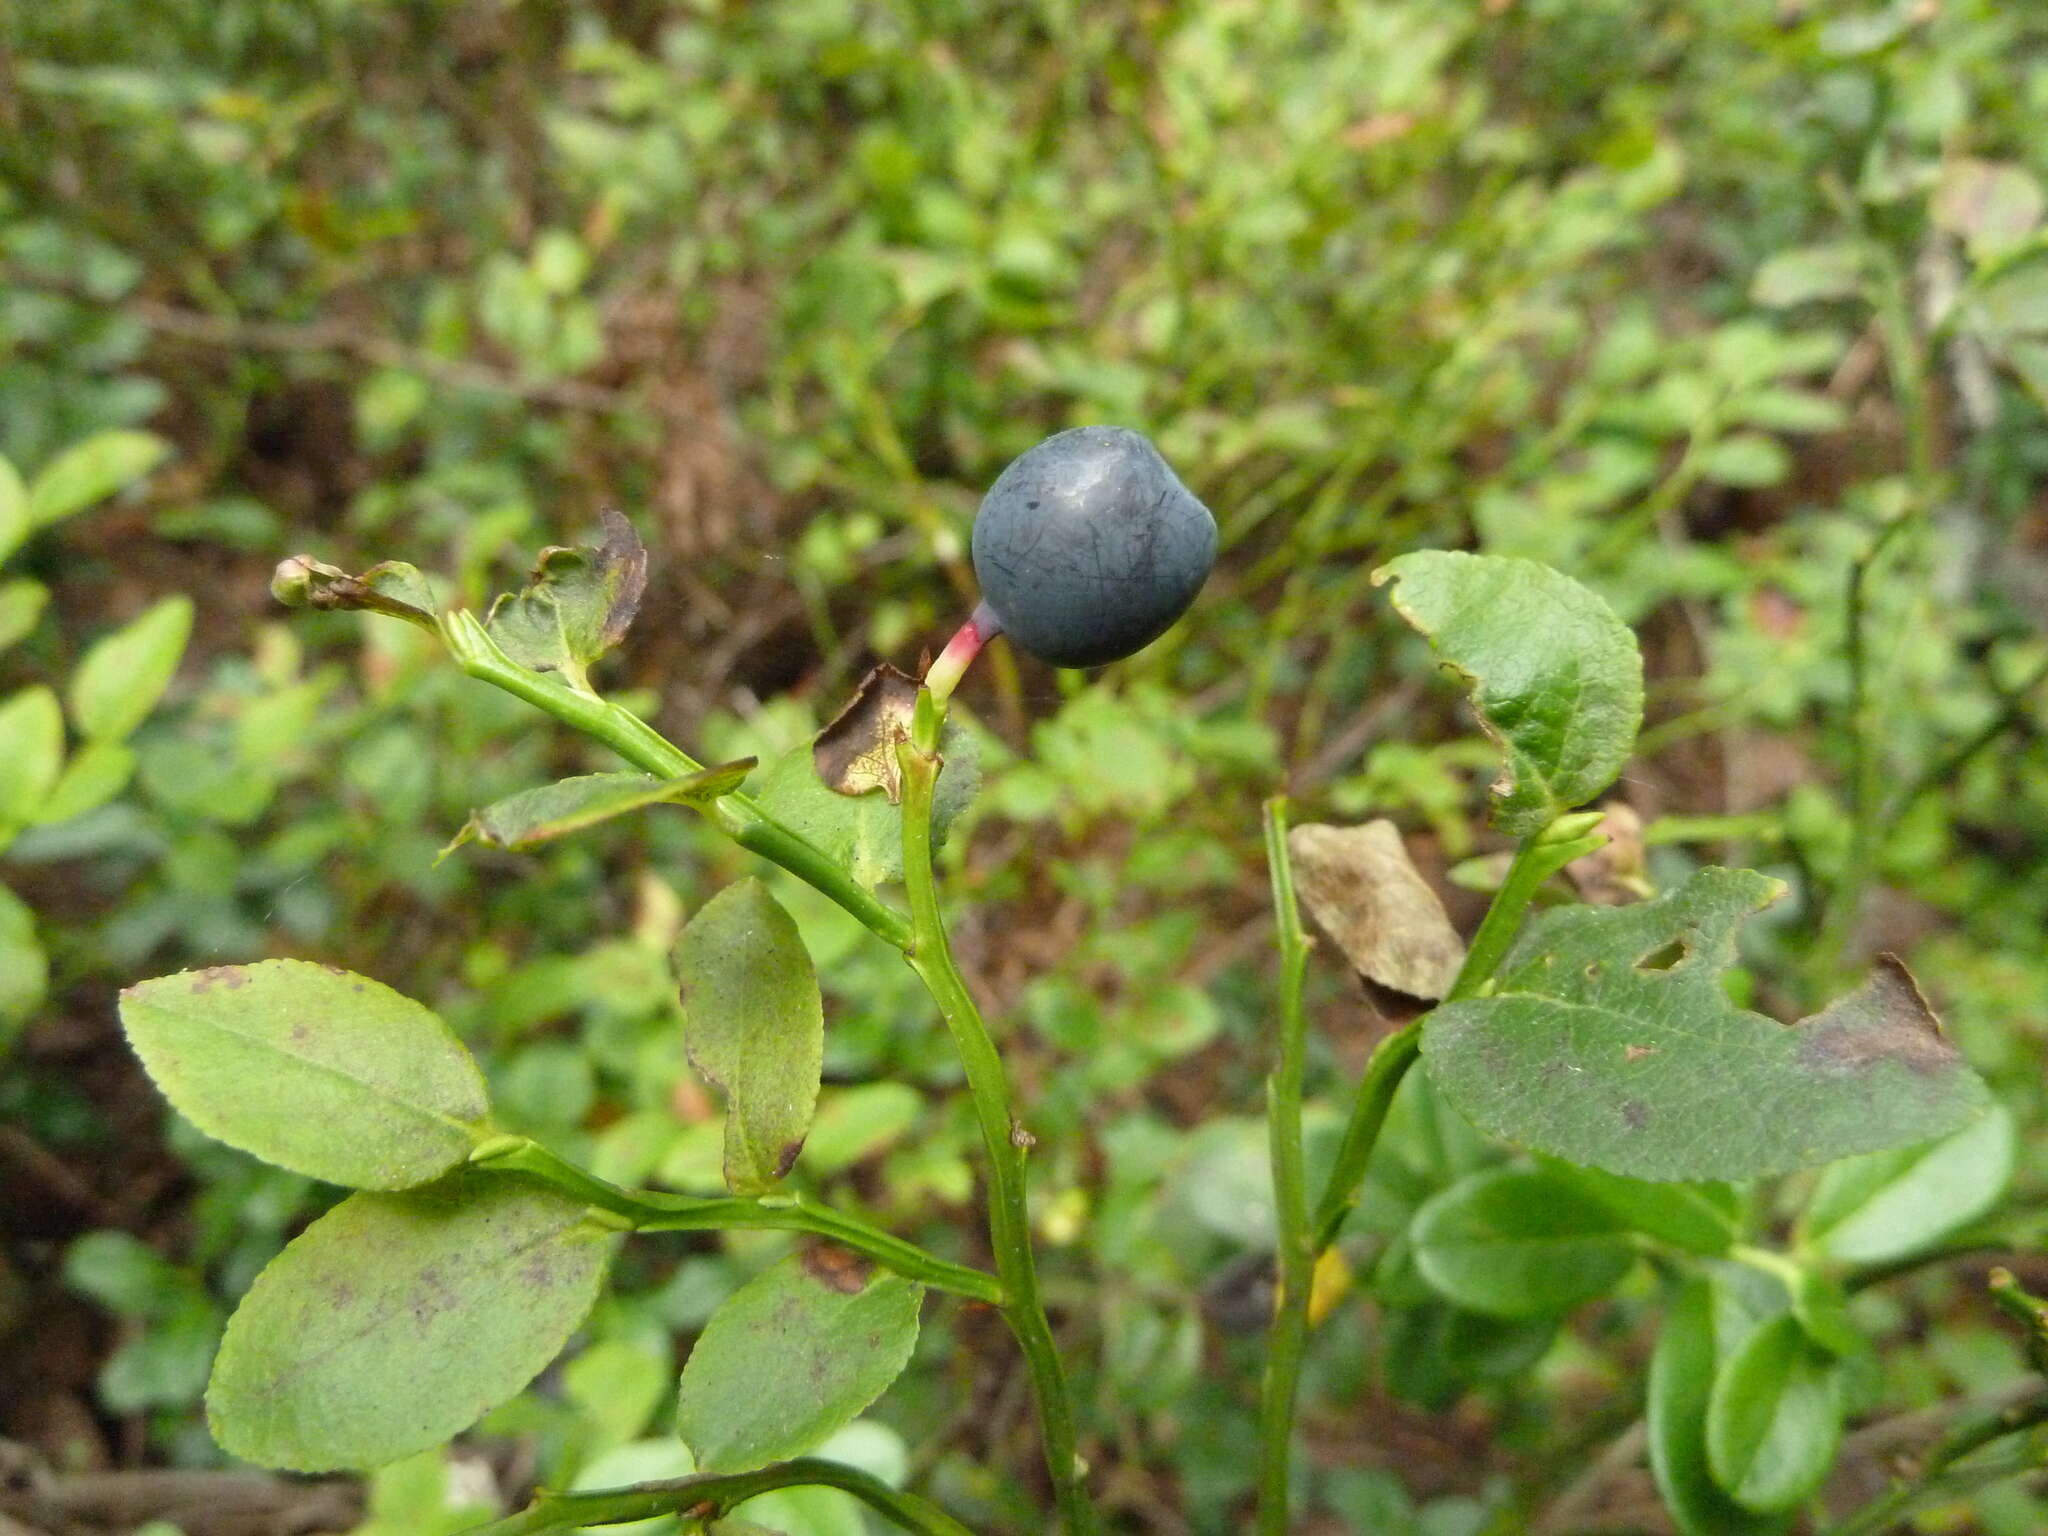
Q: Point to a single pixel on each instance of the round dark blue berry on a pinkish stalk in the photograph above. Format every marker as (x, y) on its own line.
(1089, 548)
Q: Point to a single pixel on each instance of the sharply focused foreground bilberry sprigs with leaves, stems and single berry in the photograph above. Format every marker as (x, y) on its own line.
(1607, 1046)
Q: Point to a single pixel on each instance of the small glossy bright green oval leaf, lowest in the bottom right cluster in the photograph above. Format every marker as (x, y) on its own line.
(1775, 1420)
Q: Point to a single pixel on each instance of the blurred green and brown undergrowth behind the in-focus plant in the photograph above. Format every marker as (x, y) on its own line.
(1736, 310)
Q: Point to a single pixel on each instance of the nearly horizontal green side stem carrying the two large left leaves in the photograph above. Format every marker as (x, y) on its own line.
(650, 1211)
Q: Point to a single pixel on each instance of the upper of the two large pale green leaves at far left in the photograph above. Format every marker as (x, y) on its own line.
(310, 1068)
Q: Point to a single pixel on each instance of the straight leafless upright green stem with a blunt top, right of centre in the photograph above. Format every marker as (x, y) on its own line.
(1291, 1193)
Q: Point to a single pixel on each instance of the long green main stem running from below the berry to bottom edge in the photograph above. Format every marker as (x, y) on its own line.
(1002, 1136)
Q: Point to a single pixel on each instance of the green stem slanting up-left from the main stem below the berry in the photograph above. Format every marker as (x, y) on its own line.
(738, 816)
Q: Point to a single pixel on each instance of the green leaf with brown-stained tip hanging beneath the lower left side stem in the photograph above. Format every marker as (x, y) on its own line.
(792, 1357)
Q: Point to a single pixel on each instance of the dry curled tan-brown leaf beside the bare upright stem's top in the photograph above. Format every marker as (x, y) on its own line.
(1367, 894)
